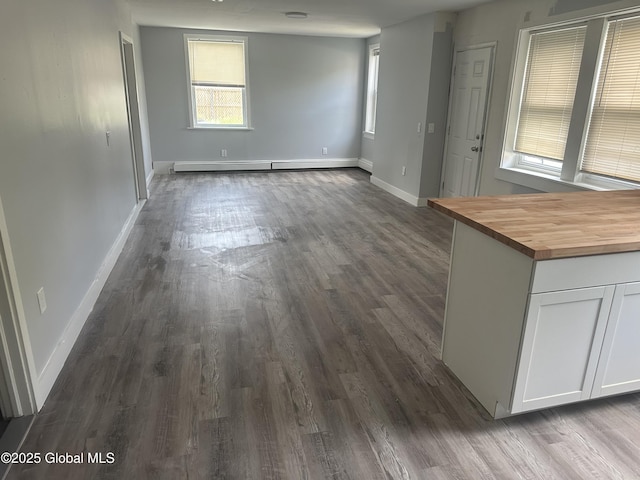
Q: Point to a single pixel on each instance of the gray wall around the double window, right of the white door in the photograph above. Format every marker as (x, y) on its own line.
(500, 22)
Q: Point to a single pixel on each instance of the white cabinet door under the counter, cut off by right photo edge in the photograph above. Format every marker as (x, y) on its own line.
(619, 367)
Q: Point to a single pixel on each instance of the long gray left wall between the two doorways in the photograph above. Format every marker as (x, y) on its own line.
(66, 194)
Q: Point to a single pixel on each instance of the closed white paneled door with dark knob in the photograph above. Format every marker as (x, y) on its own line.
(467, 112)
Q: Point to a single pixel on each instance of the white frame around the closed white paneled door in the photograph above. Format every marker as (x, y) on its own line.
(487, 106)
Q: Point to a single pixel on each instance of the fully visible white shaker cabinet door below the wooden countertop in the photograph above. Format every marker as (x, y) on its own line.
(560, 347)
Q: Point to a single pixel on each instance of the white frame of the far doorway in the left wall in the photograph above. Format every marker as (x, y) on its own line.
(127, 54)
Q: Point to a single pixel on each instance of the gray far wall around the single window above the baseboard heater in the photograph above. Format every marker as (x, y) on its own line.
(305, 94)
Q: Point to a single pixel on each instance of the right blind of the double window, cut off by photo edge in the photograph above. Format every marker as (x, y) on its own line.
(613, 140)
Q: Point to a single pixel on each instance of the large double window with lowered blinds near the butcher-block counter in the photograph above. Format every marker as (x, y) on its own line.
(577, 96)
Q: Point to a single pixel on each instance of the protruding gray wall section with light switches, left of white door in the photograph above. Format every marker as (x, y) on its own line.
(404, 90)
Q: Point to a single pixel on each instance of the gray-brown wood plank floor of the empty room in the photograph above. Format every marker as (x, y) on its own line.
(287, 325)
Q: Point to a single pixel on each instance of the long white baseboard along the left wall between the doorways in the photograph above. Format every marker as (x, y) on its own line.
(56, 361)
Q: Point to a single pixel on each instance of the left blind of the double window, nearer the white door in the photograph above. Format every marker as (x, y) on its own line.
(551, 76)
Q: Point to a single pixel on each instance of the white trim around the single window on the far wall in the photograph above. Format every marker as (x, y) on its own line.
(192, 125)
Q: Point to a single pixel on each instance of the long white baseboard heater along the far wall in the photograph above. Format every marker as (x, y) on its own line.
(165, 168)
